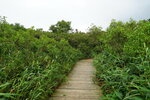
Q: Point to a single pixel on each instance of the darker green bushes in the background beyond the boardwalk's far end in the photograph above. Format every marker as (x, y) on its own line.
(88, 43)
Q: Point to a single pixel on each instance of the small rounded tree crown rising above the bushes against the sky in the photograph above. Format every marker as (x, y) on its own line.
(61, 27)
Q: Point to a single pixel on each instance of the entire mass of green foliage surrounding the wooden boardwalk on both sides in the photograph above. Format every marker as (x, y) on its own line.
(34, 62)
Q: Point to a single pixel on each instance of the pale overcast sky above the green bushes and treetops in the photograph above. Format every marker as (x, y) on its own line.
(43, 13)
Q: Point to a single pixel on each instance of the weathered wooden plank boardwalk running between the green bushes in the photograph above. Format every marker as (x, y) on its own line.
(79, 85)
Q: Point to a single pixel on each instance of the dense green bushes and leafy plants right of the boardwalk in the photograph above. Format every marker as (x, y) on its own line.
(123, 68)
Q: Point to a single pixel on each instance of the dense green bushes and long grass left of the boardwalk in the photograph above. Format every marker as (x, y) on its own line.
(32, 66)
